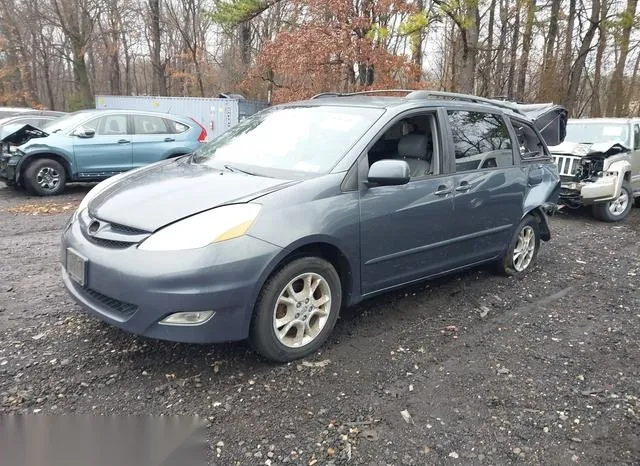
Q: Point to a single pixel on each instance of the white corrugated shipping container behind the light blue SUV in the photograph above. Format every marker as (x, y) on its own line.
(216, 114)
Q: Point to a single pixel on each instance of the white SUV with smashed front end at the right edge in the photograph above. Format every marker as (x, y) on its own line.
(599, 166)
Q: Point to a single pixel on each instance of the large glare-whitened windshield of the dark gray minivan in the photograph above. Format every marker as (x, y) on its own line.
(305, 139)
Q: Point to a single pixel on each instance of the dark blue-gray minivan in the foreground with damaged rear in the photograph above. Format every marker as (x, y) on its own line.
(269, 230)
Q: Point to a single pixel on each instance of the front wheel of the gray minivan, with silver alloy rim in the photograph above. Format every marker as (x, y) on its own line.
(308, 321)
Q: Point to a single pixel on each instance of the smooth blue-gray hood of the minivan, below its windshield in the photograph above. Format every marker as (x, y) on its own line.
(162, 193)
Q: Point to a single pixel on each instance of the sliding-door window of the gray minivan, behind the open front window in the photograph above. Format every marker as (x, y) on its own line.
(481, 140)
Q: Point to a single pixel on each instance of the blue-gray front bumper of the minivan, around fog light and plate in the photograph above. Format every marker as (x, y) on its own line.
(134, 289)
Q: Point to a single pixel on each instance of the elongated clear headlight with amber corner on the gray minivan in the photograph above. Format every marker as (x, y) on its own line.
(200, 230)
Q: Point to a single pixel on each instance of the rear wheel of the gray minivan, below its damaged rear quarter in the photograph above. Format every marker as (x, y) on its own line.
(513, 265)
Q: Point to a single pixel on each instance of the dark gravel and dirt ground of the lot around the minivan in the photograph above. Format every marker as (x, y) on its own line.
(491, 370)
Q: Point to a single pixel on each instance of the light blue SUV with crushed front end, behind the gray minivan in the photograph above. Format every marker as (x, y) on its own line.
(92, 145)
